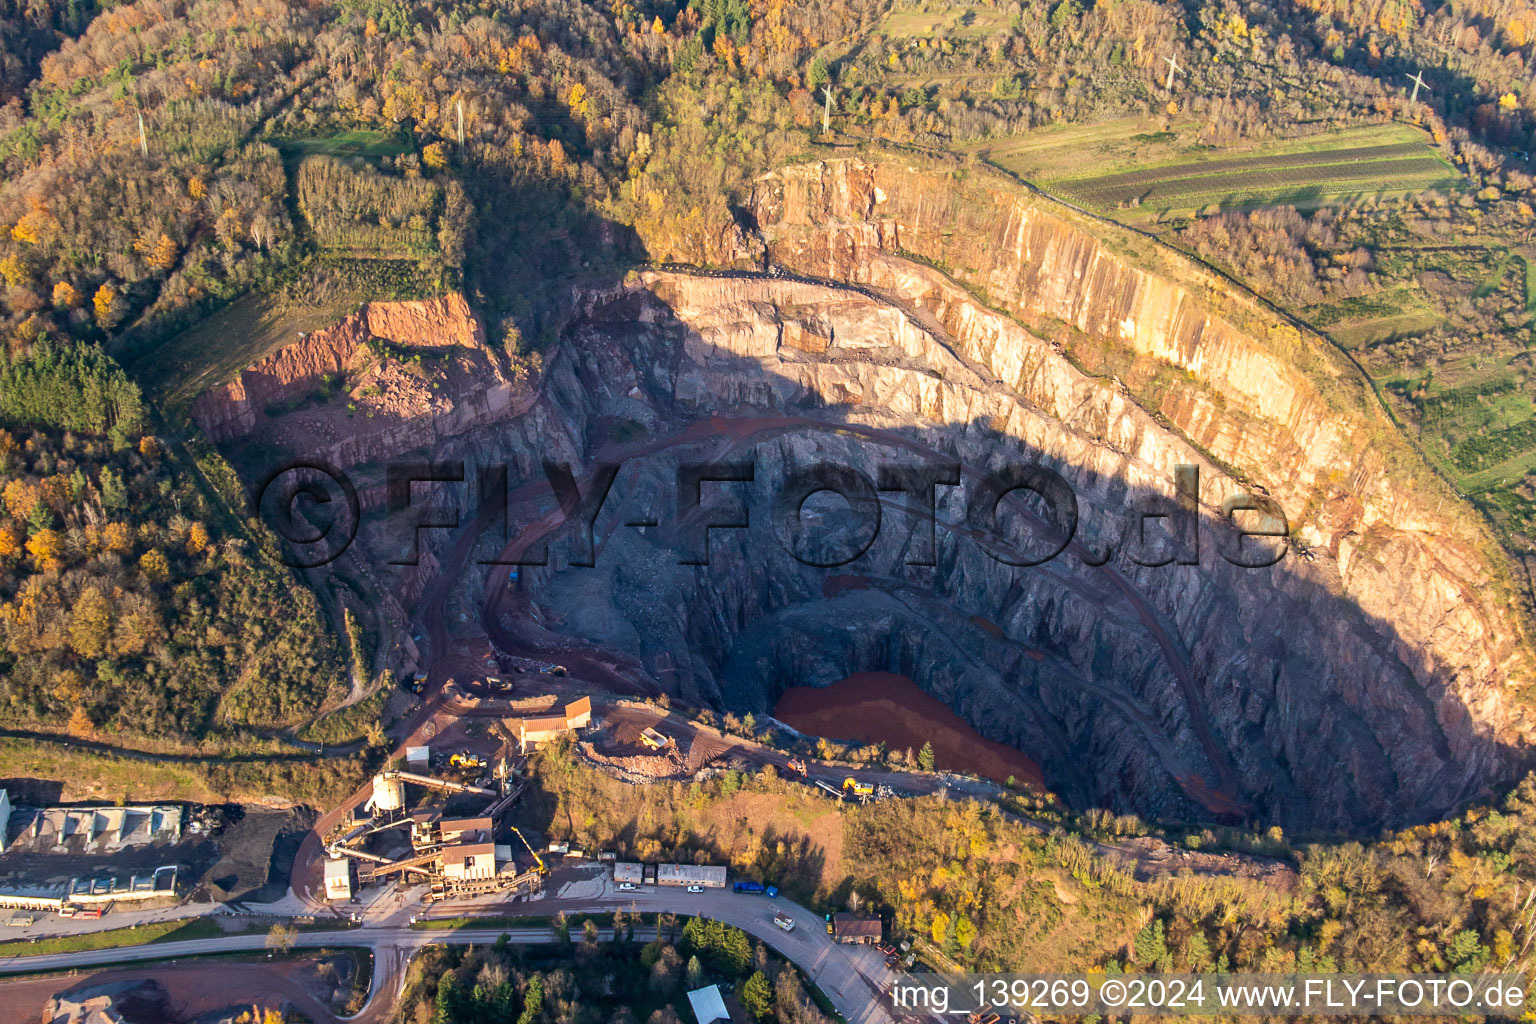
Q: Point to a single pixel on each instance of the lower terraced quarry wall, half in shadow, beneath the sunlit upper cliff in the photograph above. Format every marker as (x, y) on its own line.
(1188, 692)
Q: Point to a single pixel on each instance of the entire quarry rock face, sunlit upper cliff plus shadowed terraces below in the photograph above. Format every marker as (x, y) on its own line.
(1366, 684)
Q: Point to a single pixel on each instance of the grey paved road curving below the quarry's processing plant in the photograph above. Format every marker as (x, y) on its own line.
(853, 977)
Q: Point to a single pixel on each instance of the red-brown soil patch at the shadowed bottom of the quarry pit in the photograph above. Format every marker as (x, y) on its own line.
(890, 709)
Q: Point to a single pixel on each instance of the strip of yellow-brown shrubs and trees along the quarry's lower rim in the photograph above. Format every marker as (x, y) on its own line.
(985, 890)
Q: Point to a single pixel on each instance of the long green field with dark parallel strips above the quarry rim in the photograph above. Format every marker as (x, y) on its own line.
(1386, 160)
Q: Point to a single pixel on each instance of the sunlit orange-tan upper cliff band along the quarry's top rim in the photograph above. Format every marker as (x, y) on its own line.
(1250, 391)
